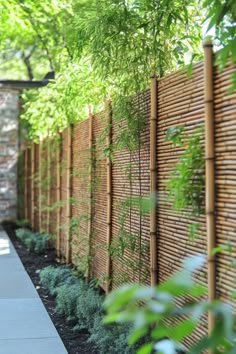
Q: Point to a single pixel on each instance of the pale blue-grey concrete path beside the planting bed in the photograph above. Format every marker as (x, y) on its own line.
(25, 326)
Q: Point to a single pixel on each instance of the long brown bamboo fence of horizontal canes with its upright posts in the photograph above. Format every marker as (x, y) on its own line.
(154, 245)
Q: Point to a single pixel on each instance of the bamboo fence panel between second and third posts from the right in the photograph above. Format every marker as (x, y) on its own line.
(130, 183)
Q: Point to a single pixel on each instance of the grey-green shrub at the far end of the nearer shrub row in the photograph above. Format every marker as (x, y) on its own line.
(51, 278)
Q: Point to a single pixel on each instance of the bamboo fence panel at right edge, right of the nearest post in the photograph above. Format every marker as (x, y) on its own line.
(225, 150)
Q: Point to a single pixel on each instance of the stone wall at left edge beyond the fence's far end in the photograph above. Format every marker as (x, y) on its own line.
(9, 147)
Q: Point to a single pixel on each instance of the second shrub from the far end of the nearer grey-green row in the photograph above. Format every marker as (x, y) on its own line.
(66, 300)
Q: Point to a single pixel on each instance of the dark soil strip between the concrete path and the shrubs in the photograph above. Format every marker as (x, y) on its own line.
(75, 342)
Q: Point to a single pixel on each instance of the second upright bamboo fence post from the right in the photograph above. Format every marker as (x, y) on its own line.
(153, 176)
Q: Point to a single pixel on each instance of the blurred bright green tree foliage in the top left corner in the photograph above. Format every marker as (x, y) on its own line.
(33, 40)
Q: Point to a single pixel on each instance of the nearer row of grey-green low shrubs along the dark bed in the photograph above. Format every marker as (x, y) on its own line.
(82, 304)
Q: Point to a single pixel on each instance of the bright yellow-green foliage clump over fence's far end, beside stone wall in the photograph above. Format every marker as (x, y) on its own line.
(63, 102)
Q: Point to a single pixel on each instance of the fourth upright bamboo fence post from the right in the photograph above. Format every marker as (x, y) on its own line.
(90, 193)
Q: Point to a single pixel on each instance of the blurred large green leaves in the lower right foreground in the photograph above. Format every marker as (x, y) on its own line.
(153, 311)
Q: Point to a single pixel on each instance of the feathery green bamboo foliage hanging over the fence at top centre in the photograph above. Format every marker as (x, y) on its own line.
(130, 40)
